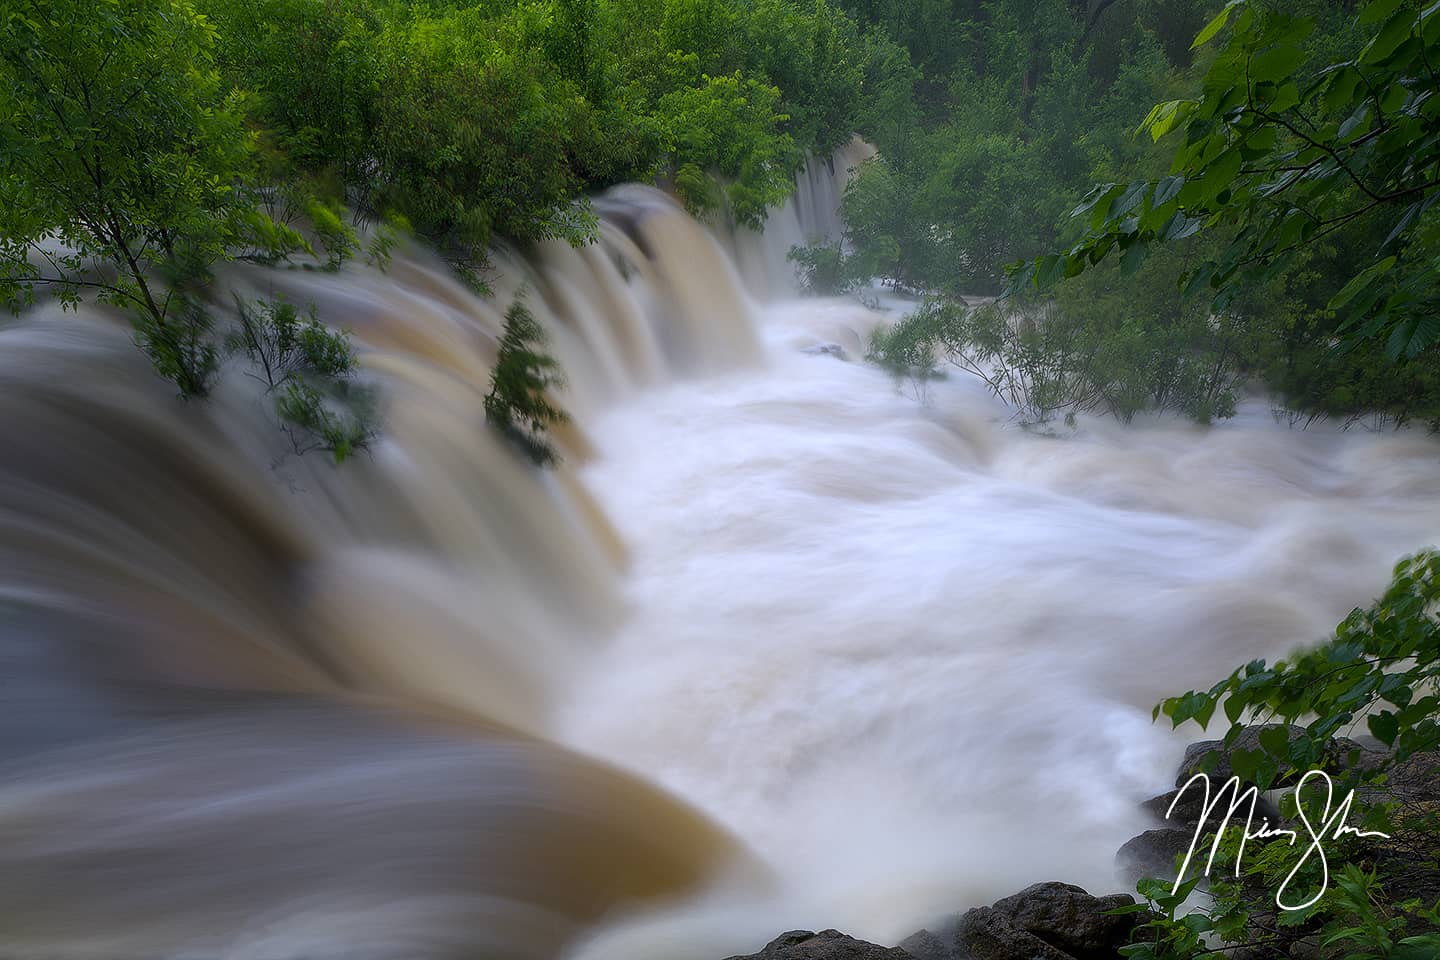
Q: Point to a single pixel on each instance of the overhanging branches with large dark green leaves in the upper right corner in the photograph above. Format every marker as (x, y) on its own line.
(1284, 149)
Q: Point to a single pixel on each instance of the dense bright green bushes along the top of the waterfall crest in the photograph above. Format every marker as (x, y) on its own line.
(492, 120)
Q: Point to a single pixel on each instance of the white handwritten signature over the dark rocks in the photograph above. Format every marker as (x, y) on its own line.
(1331, 827)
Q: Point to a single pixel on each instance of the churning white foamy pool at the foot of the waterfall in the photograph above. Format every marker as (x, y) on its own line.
(909, 651)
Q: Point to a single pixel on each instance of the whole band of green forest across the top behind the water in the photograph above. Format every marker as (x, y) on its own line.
(162, 137)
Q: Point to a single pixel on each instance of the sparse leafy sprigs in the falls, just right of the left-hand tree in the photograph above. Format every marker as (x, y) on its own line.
(310, 371)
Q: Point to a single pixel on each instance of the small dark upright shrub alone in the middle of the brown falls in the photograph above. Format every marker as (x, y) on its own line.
(518, 404)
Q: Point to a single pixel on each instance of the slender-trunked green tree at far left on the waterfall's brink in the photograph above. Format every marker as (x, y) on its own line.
(120, 153)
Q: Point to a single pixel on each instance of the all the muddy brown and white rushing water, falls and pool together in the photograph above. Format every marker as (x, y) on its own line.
(866, 658)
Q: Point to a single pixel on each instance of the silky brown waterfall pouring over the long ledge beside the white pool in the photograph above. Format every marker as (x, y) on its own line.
(274, 707)
